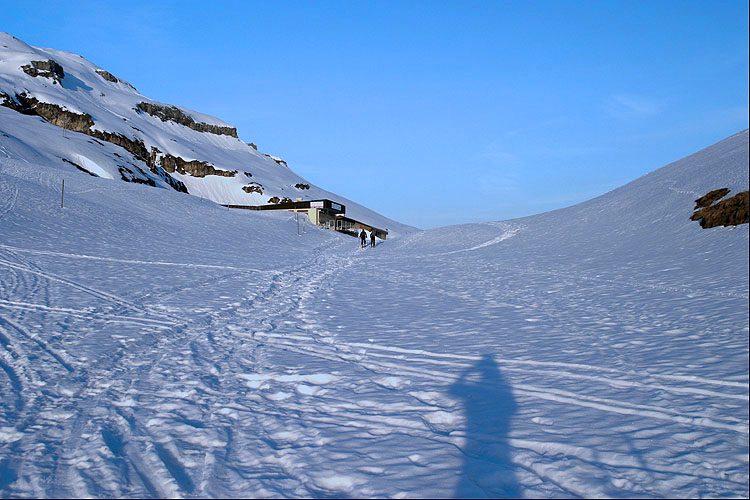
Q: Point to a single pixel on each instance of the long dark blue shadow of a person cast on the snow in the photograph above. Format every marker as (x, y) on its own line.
(489, 407)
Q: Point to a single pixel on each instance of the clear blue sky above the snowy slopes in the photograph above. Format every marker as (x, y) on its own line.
(433, 112)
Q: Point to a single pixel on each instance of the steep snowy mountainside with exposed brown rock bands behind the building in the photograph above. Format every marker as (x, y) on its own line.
(164, 145)
